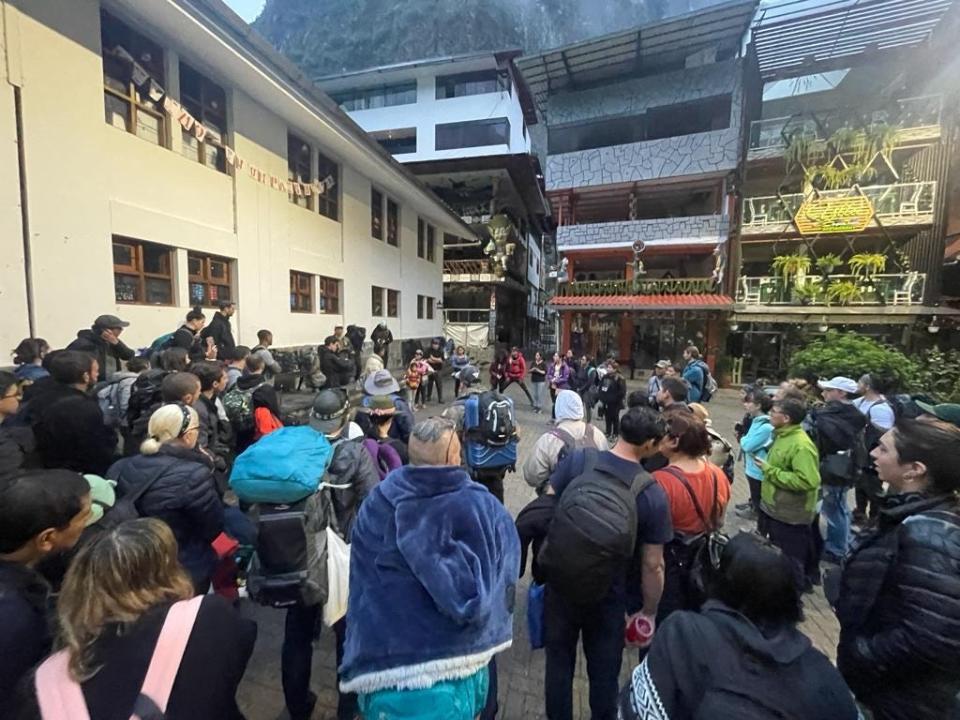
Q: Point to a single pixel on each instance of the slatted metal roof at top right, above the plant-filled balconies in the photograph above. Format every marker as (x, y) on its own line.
(795, 37)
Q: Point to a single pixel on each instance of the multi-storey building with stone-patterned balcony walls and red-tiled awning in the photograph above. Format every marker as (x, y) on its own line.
(645, 137)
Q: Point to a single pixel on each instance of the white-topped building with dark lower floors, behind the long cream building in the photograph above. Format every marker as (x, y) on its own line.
(461, 124)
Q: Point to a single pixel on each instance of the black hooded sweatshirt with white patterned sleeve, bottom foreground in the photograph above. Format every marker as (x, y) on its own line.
(718, 664)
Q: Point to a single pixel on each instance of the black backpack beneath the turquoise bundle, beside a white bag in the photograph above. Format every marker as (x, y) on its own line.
(289, 566)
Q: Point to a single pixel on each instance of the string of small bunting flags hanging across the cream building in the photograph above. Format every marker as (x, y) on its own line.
(153, 90)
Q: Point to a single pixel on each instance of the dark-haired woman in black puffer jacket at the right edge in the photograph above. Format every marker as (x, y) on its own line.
(899, 593)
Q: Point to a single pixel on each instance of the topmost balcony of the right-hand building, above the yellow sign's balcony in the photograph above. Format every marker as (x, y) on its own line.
(918, 121)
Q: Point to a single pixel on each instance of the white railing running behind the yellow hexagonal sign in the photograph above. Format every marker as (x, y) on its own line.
(901, 200)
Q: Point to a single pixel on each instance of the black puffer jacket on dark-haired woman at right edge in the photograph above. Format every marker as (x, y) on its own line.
(899, 610)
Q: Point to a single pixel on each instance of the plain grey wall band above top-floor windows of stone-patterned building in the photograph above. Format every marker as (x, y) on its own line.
(635, 96)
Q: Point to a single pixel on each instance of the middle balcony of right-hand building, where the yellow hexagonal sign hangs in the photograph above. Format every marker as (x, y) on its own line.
(898, 205)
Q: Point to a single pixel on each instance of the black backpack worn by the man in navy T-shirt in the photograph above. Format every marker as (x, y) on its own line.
(593, 533)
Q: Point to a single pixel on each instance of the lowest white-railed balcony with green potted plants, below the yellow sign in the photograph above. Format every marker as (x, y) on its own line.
(897, 290)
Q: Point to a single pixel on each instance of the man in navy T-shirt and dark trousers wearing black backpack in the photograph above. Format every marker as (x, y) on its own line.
(611, 518)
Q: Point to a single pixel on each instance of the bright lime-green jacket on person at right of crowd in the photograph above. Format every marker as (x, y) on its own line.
(791, 477)
